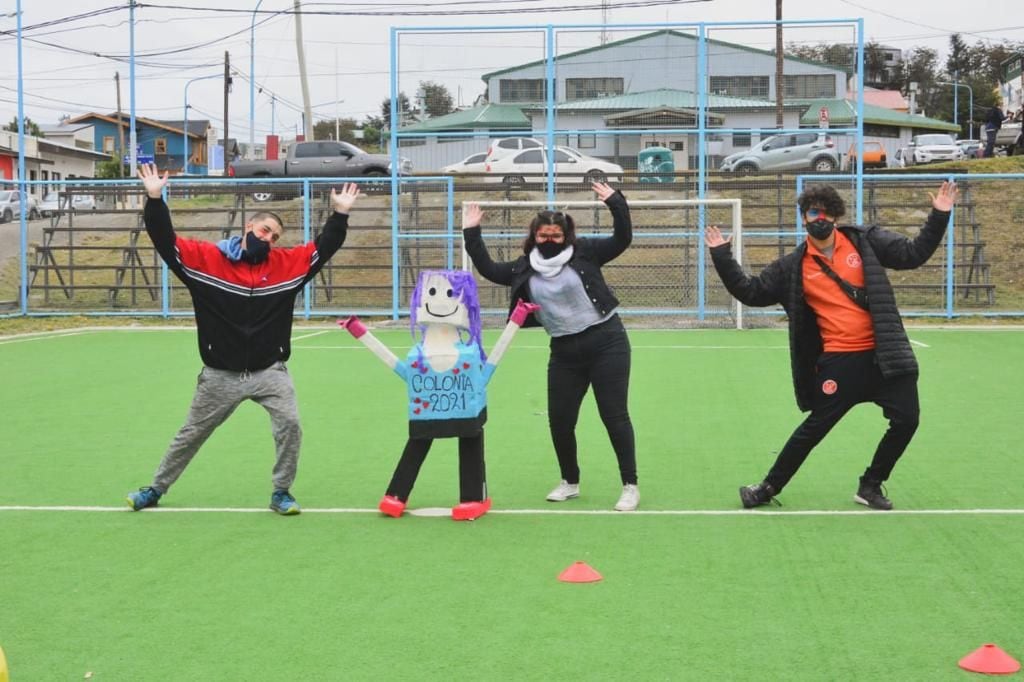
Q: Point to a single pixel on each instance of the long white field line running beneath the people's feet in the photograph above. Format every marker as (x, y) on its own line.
(444, 511)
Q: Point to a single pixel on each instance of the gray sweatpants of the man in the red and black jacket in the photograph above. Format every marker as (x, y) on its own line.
(219, 393)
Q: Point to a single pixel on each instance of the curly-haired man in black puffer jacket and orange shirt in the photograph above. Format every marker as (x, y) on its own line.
(847, 342)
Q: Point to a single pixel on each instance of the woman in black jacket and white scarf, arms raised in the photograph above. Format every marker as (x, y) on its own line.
(589, 346)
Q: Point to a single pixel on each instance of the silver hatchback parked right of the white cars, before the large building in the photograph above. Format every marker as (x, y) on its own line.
(790, 152)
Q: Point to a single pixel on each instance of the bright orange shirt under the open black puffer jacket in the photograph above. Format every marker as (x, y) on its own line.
(845, 326)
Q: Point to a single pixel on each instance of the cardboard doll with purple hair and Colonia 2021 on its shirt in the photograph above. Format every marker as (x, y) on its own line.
(446, 374)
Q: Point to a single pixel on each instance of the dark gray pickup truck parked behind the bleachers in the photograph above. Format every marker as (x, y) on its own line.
(321, 159)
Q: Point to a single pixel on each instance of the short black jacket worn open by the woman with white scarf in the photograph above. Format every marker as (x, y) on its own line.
(588, 257)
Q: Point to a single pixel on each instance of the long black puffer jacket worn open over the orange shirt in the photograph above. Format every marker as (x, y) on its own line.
(782, 283)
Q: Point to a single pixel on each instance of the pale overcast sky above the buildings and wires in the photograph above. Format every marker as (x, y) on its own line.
(59, 81)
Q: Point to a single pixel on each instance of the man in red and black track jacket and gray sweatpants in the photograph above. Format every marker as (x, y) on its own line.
(243, 291)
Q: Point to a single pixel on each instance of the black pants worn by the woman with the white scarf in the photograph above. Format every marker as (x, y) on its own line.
(598, 357)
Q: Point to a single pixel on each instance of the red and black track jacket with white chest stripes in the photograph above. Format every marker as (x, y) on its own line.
(243, 312)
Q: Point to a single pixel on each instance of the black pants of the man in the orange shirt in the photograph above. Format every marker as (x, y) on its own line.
(843, 381)
